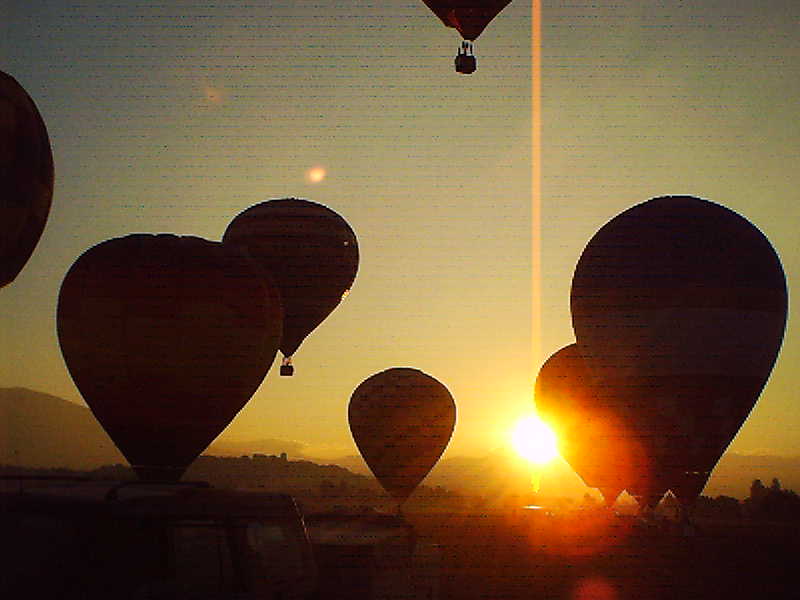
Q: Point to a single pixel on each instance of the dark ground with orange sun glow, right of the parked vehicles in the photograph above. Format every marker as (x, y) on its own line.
(610, 559)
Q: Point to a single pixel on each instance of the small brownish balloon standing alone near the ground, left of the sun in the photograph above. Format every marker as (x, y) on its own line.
(401, 420)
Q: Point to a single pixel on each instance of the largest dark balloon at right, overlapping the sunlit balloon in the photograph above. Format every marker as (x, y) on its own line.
(679, 309)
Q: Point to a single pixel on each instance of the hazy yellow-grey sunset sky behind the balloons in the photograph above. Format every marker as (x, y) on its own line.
(174, 117)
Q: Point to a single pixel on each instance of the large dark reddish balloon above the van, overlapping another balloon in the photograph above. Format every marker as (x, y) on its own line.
(166, 338)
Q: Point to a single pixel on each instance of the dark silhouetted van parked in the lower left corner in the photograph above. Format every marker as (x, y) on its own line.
(138, 540)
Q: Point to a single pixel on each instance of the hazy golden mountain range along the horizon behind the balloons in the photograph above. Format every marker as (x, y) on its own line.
(41, 430)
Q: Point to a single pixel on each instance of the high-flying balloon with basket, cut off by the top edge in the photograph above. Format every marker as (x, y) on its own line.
(469, 18)
